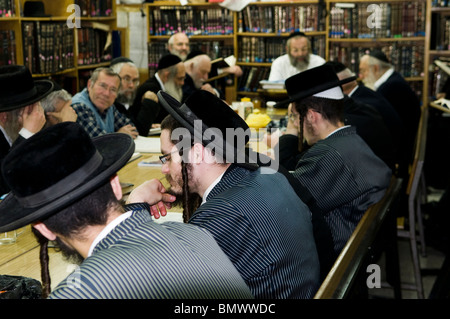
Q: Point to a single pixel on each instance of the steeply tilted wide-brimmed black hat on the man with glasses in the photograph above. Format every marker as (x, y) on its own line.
(213, 122)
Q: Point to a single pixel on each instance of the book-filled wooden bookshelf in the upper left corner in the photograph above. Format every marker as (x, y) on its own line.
(53, 46)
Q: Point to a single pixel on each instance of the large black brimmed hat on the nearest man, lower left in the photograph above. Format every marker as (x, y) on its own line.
(56, 167)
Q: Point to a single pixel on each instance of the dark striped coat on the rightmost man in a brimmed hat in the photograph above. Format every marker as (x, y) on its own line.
(345, 177)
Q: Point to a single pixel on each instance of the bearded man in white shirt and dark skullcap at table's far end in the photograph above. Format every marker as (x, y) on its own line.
(297, 59)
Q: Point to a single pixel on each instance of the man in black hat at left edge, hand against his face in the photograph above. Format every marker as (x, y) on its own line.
(21, 114)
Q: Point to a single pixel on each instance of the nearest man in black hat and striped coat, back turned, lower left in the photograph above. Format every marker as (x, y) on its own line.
(64, 183)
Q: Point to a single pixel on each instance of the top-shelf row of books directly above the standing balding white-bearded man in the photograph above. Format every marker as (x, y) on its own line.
(193, 21)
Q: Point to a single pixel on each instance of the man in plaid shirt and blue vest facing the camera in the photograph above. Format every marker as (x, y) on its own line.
(95, 108)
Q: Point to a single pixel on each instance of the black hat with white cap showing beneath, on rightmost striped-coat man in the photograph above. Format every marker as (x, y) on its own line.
(313, 81)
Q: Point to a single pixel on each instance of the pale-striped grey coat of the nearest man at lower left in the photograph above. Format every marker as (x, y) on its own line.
(143, 259)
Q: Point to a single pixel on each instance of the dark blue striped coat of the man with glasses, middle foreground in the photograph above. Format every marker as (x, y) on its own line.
(266, 231)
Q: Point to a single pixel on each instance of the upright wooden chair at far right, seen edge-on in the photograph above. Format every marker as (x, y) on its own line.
(416, 195)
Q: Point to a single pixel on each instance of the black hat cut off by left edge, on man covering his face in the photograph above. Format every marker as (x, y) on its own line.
(18, 89)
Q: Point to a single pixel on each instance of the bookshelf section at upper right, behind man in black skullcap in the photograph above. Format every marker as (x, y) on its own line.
(396, 27)
